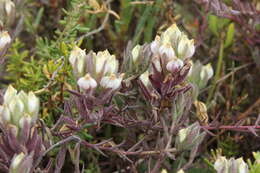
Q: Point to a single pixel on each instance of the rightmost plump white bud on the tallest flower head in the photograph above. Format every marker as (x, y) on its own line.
(186, 47)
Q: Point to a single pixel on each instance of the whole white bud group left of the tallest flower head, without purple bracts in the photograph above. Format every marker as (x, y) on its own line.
(95, 69)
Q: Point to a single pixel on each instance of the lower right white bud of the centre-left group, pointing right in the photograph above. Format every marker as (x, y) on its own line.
(111, 81)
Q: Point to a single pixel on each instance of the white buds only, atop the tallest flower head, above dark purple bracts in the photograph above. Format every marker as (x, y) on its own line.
(171, 49)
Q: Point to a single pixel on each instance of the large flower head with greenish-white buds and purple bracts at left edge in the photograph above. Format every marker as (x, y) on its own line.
(20, 143)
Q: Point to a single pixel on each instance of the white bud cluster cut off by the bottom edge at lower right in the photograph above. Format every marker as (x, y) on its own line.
(224, 165)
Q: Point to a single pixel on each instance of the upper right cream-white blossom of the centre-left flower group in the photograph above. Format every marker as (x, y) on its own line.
(105, 62)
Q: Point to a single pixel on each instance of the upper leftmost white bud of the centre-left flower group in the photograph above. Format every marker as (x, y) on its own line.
(77, 60)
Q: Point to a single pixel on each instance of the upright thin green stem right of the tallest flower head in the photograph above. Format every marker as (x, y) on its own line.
(217, 75)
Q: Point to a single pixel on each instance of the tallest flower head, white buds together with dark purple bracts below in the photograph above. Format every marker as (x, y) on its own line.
(169, 64)
